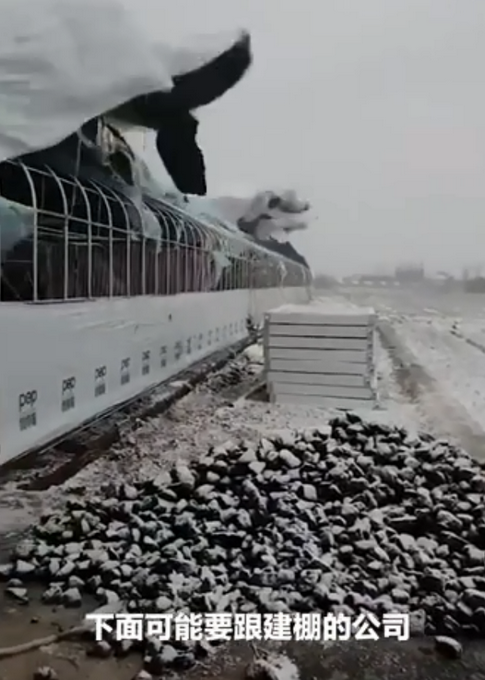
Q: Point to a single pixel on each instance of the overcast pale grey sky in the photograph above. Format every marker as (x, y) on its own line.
(373, 109)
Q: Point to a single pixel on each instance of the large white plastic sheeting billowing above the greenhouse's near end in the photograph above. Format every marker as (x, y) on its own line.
(63, 62)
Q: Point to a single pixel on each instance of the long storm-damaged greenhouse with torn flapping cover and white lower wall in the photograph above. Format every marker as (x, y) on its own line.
(130, 282)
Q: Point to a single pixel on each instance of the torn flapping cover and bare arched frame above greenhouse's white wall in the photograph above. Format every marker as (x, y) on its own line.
(68, 67)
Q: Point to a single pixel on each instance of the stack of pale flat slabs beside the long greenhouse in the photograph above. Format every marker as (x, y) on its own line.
(321, 354)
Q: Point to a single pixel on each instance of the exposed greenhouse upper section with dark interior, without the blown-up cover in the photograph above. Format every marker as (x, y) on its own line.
(75, 214)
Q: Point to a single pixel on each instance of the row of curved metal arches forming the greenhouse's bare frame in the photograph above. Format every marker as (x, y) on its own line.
(181, 257)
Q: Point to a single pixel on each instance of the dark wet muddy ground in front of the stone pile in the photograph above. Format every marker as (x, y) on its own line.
(383, 660)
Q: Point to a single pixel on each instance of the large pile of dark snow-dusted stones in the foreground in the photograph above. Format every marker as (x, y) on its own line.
(349, 517)
